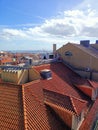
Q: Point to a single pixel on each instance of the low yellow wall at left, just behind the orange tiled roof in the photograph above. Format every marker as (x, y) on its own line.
(21, 76)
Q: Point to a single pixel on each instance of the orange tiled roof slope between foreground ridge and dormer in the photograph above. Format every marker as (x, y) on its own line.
(37, 116)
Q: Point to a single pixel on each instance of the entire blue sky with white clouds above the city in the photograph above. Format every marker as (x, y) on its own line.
(37, 24)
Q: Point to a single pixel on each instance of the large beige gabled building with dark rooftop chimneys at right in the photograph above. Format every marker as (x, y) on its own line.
(82, 57)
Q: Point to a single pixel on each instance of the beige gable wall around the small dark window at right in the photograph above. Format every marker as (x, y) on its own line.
(79, 58)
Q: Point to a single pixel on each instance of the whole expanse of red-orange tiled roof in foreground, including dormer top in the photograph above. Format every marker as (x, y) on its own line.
(26, 105)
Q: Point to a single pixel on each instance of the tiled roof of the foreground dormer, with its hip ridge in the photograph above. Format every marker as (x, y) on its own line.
(68, 102)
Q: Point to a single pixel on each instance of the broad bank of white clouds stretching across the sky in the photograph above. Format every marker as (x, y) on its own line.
(80, 22)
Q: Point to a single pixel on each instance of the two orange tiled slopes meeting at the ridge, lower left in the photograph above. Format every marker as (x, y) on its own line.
(22, 108)
